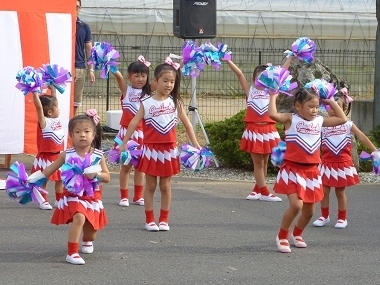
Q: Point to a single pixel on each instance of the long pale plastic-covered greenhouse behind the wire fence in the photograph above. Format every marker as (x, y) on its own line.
(255, 31)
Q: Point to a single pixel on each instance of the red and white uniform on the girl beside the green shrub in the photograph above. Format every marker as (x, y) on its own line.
(260, 135)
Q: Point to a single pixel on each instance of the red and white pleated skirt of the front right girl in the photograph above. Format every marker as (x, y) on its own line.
(305, 180)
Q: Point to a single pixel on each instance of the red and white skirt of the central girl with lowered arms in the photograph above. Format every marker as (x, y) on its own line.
(159, 159)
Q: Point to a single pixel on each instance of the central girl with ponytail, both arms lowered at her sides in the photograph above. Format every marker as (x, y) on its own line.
(159, 153)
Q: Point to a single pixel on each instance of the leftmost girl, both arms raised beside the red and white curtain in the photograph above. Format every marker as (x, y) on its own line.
(50, 140)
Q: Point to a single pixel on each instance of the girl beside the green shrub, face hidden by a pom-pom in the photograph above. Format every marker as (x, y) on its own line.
(260, 134)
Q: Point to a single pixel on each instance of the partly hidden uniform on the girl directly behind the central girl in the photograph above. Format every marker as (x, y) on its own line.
(130, 105)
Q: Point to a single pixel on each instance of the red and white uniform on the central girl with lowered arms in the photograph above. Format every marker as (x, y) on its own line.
(159, 152)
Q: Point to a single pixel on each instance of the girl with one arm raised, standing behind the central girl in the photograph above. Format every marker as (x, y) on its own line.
(138, 76)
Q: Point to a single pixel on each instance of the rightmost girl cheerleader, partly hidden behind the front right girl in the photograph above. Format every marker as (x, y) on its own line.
(337, 168)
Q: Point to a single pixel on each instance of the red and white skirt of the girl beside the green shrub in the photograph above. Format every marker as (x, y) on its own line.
(259, 138)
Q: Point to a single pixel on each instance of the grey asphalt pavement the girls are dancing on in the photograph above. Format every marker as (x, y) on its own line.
(216, 237)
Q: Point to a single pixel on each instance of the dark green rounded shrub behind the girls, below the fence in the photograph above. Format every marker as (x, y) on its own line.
(225, 139)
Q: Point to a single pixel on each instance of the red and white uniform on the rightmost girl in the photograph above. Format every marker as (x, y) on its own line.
(337, 168)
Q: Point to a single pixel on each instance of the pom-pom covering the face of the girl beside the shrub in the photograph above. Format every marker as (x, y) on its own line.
(275, 79)
